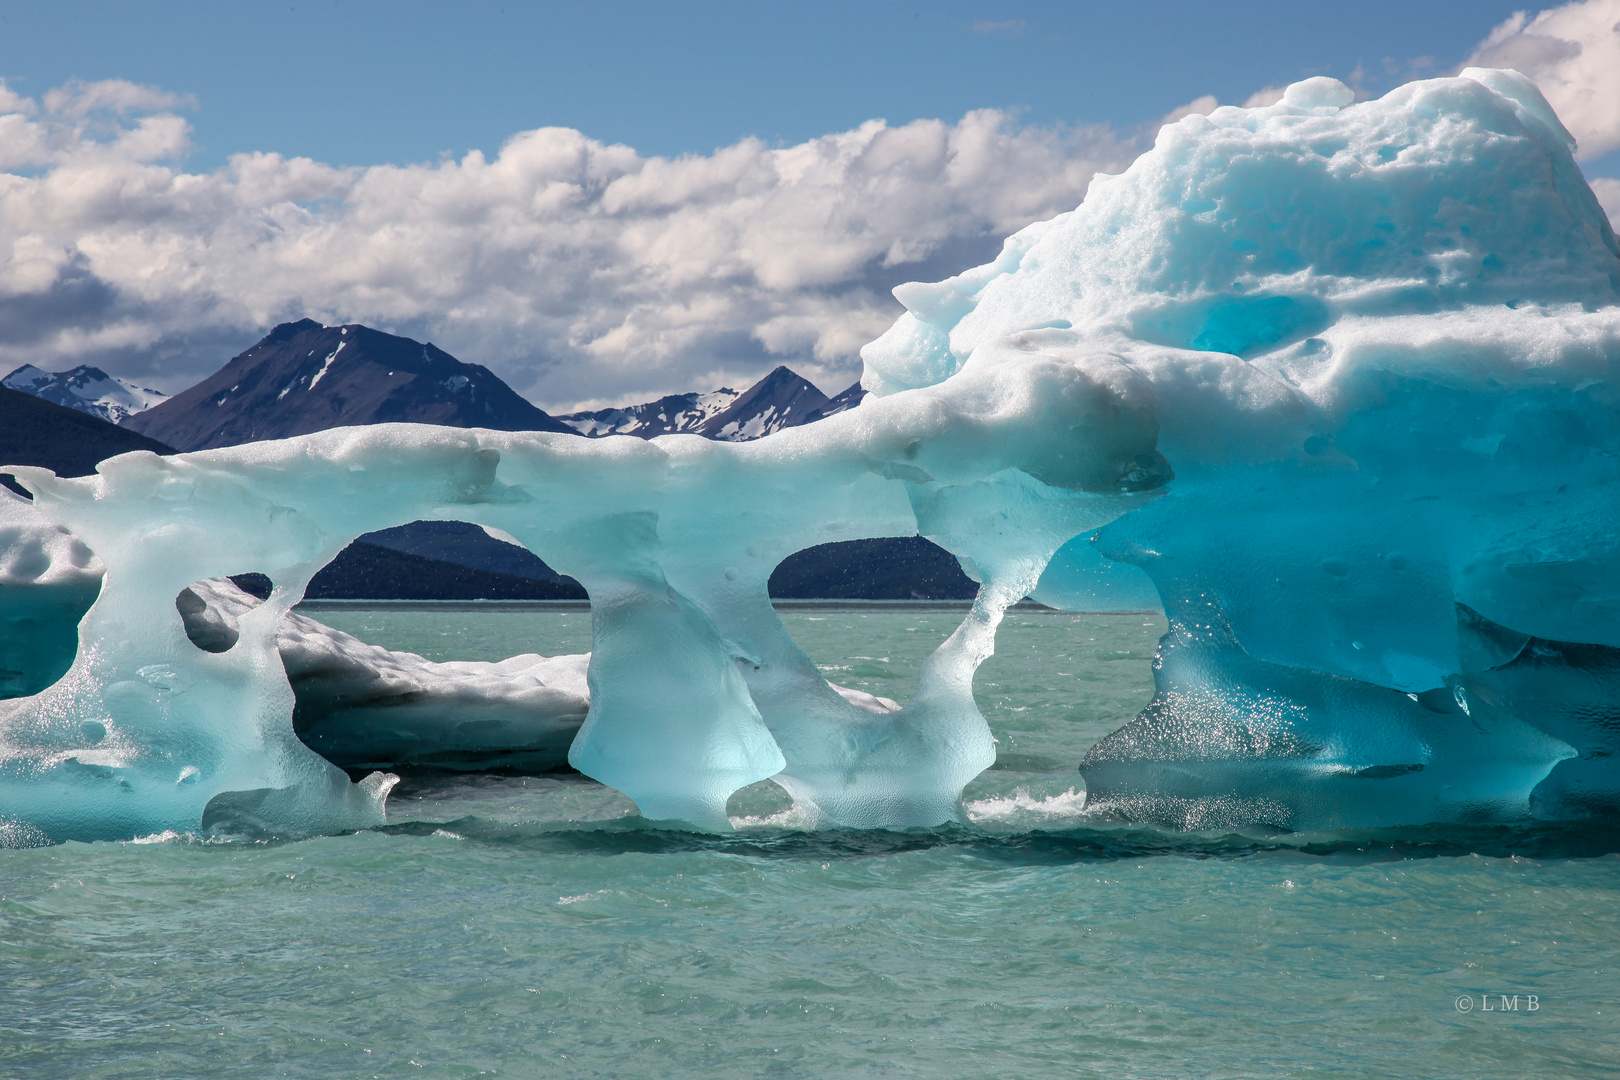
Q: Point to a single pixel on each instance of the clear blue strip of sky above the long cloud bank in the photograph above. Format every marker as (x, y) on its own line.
(364, 82)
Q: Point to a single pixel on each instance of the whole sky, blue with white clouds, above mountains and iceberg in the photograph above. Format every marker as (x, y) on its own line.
(607, 203)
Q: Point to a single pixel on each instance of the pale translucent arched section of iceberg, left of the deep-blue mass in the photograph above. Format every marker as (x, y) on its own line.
(696, 687)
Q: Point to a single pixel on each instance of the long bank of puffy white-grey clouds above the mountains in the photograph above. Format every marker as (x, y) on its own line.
(578, 271)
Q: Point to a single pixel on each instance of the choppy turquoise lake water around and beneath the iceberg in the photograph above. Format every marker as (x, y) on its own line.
(534, 927)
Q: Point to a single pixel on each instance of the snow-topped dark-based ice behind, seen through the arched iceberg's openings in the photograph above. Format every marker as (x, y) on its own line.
(357, 705)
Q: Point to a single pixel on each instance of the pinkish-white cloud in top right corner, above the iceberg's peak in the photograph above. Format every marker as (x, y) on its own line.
(1574, 56)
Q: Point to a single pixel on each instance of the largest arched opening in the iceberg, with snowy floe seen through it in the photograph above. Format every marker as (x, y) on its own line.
(399, 660)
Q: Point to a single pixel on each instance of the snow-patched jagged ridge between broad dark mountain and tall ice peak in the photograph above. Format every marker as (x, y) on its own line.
(782, 399)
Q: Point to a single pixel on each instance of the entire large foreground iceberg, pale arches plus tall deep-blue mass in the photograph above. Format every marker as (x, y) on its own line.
(1328, 381)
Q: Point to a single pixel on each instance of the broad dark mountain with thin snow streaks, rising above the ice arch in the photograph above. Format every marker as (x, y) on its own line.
(305, 378)
